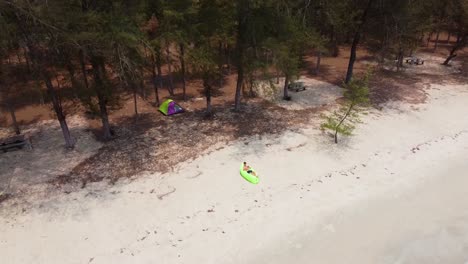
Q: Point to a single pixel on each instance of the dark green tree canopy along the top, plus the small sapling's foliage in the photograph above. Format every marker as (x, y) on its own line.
(268, 34)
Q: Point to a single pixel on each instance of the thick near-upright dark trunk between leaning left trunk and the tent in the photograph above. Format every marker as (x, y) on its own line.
(98, 68)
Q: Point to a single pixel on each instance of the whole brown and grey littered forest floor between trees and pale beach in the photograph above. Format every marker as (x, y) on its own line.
(155, 143)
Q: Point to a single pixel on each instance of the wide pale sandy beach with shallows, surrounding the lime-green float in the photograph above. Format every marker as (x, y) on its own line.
(393, 193)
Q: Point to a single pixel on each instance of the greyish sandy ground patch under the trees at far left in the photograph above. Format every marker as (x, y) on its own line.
(25, 170)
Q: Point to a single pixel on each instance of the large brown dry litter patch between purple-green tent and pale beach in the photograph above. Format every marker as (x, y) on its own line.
(157, 143)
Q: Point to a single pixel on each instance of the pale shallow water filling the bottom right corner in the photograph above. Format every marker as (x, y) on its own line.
(427, 223)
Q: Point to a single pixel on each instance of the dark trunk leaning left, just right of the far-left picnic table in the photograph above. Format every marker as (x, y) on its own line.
(69, 142)
